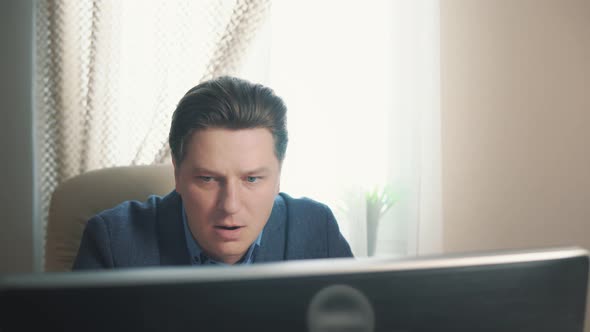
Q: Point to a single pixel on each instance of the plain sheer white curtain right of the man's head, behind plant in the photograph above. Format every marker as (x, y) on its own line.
(361, 81)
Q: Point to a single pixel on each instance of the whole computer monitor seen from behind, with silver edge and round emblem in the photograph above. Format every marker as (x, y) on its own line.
(542, 290)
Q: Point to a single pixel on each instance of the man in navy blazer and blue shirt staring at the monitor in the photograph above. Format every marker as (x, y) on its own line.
(228, 140)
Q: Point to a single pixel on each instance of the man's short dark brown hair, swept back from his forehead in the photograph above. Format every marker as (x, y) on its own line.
(232, 103)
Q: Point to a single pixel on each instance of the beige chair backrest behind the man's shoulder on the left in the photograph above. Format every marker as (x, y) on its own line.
(78, 199)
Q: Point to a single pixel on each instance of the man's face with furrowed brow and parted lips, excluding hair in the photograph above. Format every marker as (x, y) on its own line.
(228, 181)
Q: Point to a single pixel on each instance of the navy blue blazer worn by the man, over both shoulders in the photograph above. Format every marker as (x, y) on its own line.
(151, 233)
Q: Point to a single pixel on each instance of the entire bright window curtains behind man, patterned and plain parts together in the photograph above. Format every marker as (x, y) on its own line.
(360, 79)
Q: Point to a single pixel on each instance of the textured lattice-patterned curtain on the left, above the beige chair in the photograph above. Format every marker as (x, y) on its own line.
(109, 75)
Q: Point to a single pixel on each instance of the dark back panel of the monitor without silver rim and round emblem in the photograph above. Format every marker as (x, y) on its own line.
(526, 296)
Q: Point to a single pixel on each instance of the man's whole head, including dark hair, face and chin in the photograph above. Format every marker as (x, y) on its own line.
(228, 140)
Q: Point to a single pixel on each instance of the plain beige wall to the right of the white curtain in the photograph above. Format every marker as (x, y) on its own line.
(515, 123)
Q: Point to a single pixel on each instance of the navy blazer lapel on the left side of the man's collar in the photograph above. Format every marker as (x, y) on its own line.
(173, 250)
